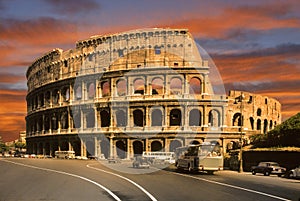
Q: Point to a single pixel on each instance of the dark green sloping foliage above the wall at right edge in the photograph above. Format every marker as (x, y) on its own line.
(285, 134)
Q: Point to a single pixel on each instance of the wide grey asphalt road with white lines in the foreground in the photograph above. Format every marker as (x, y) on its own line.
(53, 179)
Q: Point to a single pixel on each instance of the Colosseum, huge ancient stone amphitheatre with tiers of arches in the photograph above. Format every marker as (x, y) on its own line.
(142, 90)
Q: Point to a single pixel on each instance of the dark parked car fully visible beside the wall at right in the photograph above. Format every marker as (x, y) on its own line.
(268, 168)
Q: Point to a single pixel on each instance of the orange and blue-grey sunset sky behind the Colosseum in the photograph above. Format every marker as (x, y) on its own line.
(254, 44)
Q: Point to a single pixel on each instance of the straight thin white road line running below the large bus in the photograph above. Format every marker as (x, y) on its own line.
(232, 186)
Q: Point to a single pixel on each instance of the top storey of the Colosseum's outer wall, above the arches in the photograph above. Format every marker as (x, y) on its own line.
(123, 51)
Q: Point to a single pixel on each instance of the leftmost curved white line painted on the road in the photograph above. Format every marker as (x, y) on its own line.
(69, 174)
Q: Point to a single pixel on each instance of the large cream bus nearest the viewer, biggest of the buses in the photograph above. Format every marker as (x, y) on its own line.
(202, 157)
